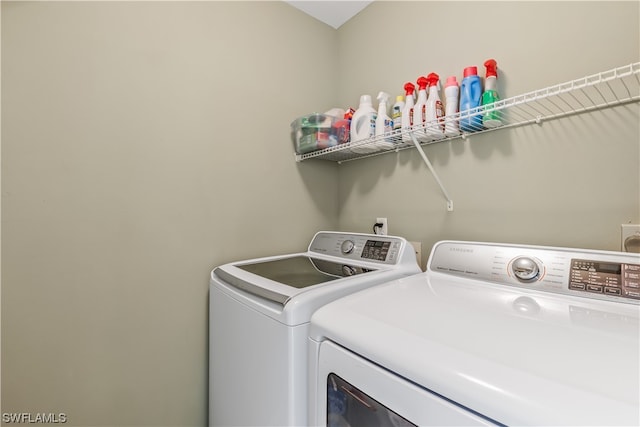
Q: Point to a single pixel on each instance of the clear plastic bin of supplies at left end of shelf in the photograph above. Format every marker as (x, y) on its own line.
(314, 132)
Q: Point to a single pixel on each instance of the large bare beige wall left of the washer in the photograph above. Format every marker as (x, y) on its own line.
(143, 144)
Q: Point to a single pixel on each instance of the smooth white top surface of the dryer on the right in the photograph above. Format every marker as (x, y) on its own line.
(516, 356)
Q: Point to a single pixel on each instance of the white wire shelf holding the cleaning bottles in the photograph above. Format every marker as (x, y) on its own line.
(602, 90)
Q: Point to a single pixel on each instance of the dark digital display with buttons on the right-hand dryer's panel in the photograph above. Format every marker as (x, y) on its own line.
(608, 278)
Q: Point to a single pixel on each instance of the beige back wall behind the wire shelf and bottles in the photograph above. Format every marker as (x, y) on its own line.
(569, 182)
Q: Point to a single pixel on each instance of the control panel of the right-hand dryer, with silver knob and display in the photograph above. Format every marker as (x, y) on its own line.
(613, 276)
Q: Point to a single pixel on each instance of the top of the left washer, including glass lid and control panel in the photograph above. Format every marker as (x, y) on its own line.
(290, 287)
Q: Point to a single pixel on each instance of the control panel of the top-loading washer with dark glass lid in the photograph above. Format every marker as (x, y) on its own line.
(363, 247)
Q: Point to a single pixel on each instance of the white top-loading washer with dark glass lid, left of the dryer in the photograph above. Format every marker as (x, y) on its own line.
(259, 319)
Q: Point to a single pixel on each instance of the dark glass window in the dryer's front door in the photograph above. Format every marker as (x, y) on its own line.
(348, 406)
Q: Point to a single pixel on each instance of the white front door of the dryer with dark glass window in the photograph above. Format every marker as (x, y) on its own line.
(352, 391)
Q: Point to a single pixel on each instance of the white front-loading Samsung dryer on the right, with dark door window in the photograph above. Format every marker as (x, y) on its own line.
(489, 334)
